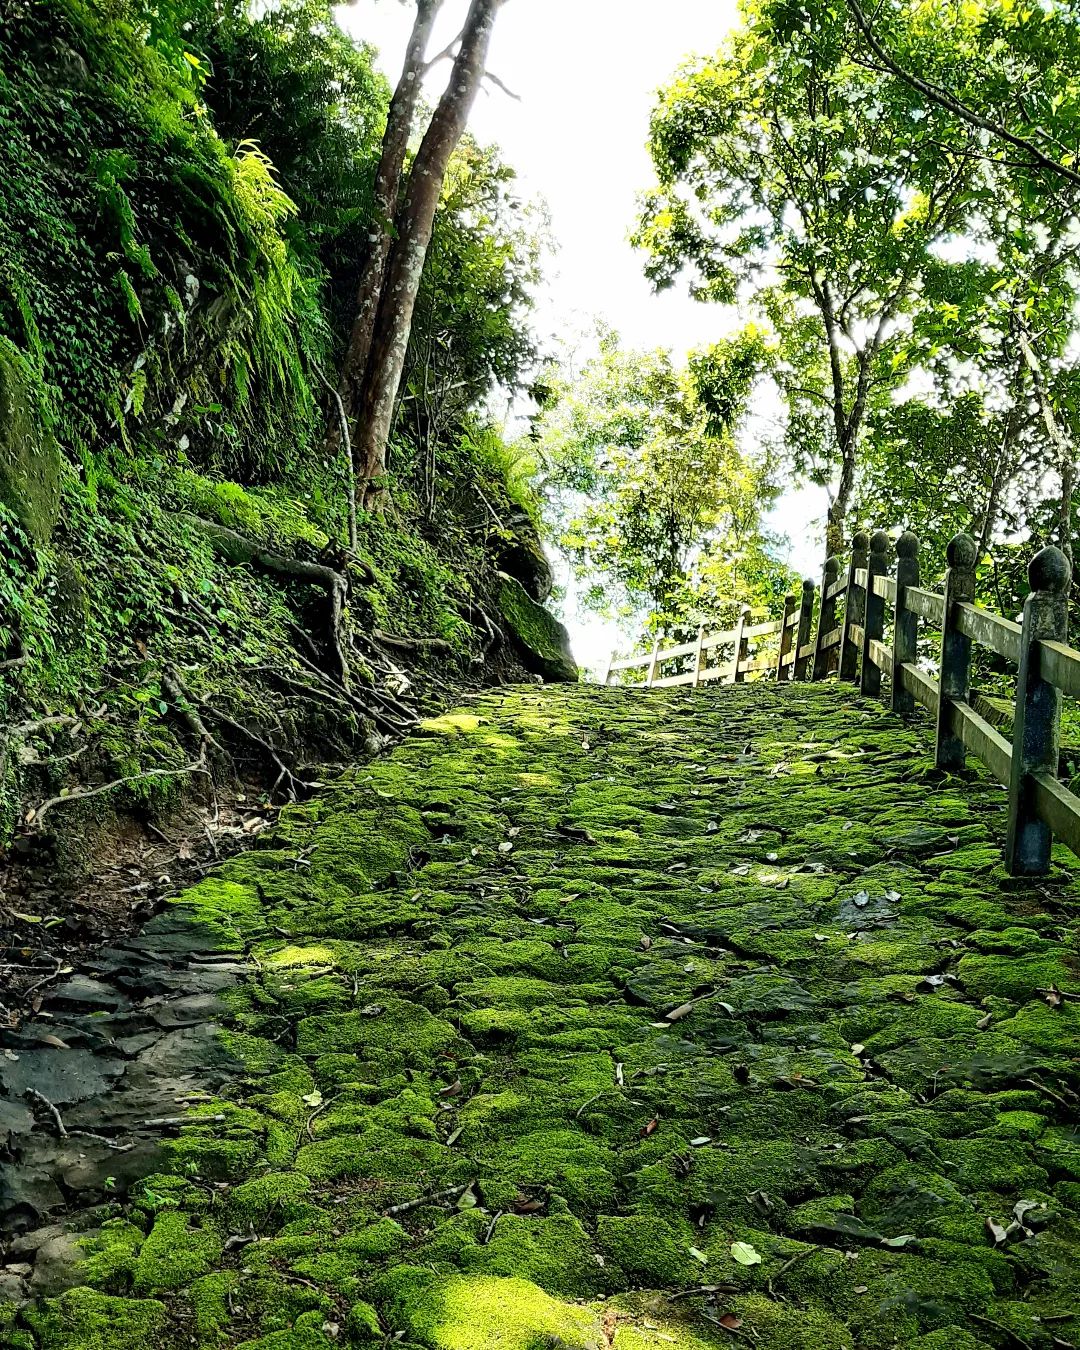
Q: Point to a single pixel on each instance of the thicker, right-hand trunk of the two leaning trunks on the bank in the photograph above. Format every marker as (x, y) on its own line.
(410, 250)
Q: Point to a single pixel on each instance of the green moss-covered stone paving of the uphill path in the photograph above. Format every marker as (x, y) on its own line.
(469, 1123)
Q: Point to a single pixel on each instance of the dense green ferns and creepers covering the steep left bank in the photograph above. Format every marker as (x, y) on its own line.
(184, 205)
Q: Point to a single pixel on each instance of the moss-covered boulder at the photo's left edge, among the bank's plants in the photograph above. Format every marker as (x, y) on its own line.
(30, 462)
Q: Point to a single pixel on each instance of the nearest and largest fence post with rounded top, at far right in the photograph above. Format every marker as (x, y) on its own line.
(1039, 711)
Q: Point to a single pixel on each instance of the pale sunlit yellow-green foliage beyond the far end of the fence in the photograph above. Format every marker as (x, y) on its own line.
(658, 508)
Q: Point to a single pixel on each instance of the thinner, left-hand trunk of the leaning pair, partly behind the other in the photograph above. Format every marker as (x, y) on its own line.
(388, 188)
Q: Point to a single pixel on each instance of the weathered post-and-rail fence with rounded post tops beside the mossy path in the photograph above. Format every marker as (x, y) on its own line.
(867, 632)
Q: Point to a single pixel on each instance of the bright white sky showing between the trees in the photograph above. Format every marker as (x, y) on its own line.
(587, 74)
